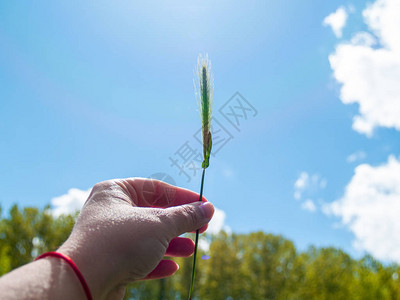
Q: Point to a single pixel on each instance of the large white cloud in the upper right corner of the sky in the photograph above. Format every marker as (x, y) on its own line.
(370, 75)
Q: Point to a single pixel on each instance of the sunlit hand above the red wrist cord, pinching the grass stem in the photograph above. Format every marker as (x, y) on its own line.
(125, 229)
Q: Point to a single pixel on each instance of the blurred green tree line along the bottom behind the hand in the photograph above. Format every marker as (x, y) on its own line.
(257, 265)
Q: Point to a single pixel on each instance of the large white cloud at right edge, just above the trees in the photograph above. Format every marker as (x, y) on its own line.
(370, 209)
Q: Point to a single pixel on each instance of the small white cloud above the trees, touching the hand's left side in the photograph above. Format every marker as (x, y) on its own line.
(70, 202)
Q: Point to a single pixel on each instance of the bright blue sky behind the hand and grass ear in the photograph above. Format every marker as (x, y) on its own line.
(94, 91)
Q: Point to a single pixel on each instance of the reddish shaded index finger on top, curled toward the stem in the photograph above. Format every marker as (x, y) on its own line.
(146, 192)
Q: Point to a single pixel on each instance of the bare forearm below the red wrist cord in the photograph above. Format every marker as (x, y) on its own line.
(47, 278)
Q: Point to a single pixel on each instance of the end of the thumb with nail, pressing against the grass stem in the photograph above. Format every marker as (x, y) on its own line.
(189, 217)
